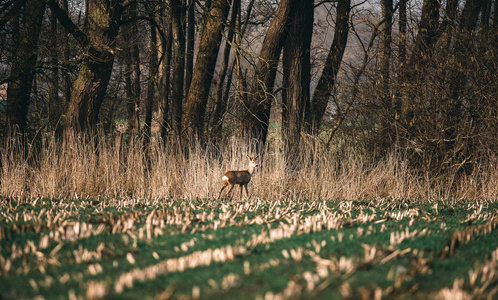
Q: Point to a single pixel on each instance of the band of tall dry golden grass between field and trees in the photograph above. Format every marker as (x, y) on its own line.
(112, 168)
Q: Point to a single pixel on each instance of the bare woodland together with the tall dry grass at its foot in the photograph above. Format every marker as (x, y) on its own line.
(340, 99)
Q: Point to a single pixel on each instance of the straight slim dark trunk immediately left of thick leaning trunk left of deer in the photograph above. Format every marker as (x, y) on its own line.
(178, 66)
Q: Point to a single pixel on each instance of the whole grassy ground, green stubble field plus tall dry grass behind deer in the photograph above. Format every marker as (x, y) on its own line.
(103, 222)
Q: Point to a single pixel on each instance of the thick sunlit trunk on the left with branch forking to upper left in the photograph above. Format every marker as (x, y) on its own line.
(97, 42)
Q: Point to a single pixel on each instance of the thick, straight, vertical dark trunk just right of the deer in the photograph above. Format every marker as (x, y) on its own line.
(296, 82)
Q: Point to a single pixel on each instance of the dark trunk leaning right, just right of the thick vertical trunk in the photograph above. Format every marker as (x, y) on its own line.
(327, 80)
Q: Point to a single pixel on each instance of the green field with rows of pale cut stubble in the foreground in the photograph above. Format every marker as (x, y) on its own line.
(247, 249)
